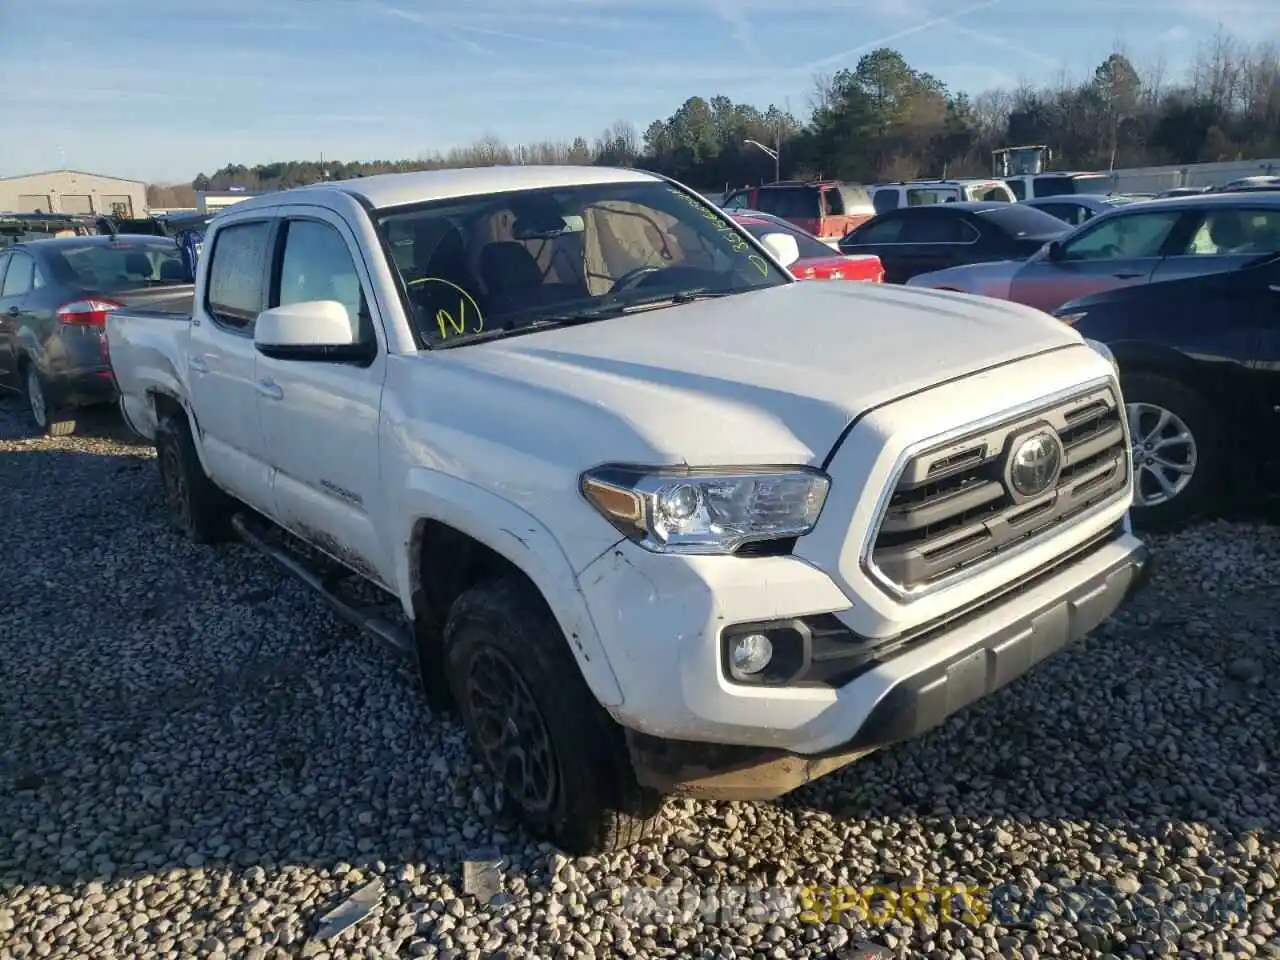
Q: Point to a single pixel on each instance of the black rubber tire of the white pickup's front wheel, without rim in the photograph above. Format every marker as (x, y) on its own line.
(598, 804)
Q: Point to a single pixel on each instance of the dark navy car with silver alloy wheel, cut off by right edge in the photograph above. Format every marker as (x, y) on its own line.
(1200, 364)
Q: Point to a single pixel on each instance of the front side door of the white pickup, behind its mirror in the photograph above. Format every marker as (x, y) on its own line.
(322, 420)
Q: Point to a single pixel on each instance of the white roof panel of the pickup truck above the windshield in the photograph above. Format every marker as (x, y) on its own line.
(390, 190)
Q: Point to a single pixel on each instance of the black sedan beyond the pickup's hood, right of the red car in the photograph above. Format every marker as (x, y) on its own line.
(918, 240)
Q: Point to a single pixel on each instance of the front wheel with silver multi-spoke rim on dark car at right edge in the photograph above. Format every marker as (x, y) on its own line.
(1177, 451)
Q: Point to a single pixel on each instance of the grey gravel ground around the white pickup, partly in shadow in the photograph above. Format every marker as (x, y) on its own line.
(198, 760)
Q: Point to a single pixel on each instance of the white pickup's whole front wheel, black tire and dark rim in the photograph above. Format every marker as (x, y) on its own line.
(560, 757)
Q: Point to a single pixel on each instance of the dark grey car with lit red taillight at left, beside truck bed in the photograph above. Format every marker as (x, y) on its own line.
(54, 300)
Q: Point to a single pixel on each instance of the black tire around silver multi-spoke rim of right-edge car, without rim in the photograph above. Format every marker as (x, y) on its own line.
(1206, 487)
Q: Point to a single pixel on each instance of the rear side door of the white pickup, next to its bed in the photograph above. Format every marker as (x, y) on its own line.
(222, 359)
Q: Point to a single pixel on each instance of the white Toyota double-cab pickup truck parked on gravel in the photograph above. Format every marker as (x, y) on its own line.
(653, 516)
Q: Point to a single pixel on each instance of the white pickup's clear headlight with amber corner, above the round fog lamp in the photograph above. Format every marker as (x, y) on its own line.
(707, 511)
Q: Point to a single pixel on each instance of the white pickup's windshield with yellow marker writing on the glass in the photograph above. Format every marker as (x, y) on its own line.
(518, 262)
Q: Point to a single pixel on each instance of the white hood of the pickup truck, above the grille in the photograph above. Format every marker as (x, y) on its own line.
(769, 377)
